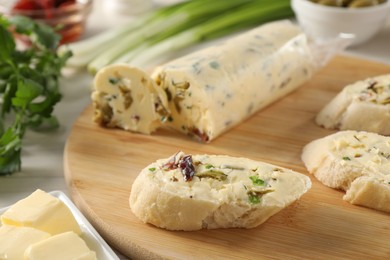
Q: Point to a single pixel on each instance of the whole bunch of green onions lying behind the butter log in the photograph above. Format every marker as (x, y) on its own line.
(173, 28)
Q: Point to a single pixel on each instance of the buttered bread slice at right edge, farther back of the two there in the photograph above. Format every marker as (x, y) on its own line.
(364, 105)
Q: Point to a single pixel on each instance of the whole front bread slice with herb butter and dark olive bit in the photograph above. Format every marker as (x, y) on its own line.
(191, 192)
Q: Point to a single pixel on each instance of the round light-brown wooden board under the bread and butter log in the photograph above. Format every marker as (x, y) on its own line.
(101, 164)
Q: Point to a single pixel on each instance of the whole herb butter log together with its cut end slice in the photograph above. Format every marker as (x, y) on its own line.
(210, 91)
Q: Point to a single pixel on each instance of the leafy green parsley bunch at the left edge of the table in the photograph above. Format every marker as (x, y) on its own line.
(29, 84)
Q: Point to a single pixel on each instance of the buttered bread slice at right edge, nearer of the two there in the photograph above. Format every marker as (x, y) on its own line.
(354, 161)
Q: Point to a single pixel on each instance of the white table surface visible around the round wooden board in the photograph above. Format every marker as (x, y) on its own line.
(42, 160)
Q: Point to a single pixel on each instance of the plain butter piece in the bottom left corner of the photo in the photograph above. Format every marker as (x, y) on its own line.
(15, 240)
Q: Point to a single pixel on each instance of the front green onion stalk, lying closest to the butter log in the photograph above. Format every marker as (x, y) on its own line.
(247, 16)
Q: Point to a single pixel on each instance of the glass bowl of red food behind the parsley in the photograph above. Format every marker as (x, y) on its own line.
(69, 20)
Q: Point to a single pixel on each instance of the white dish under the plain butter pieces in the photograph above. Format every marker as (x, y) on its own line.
(94, 241)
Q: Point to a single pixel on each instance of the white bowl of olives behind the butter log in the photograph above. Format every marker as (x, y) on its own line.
(327, 19)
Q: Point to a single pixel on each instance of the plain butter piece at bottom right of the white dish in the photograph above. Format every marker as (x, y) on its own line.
(63, 246)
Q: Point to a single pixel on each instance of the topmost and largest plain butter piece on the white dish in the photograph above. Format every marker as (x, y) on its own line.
(42, 211)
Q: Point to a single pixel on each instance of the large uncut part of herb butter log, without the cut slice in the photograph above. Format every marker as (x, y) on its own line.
(214, 89)
